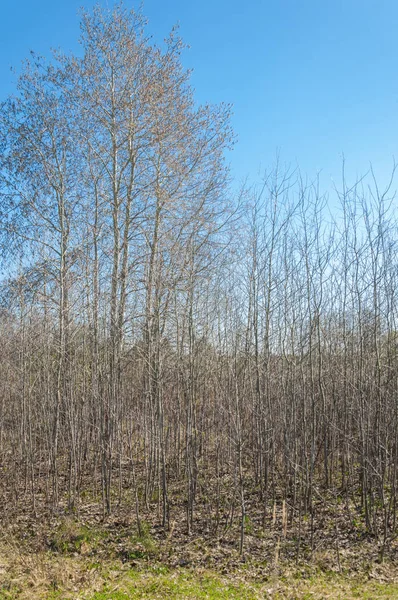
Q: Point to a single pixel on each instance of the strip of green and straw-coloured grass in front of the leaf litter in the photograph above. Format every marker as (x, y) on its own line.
(72, 574)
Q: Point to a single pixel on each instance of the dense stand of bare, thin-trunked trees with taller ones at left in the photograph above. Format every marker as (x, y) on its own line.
(162, 341)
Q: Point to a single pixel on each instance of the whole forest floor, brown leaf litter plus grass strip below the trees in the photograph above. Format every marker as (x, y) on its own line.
(81, 555)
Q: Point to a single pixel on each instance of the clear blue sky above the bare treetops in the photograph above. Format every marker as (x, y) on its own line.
(310, 78)
